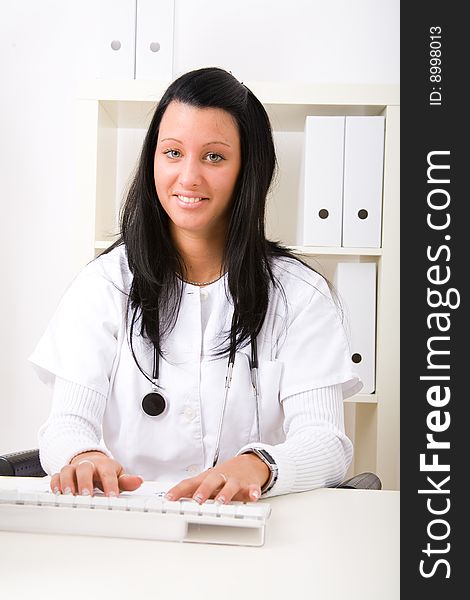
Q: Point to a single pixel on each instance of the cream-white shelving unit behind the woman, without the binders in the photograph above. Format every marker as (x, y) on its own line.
(112, 117)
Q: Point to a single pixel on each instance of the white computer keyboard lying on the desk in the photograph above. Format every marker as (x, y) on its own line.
(149, 517)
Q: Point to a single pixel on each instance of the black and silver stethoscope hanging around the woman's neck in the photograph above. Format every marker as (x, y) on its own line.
(155, 404)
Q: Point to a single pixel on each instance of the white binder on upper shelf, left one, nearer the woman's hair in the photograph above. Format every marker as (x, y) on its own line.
(322, 181)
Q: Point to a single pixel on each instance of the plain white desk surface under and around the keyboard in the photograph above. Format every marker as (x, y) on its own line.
(324, 545)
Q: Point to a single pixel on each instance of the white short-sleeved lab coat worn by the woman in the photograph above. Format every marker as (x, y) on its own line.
(298, 350)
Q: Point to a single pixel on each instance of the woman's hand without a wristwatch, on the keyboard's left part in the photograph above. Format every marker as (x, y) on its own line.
(93, 469)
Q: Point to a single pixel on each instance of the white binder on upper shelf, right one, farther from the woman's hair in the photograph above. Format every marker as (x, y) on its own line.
(363, 175)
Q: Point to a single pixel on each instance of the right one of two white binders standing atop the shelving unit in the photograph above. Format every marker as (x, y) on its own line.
(154, 40)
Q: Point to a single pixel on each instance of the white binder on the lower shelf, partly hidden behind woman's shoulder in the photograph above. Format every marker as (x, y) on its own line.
(356, 286)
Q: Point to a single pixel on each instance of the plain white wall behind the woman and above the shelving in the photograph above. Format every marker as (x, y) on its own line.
(46, 46)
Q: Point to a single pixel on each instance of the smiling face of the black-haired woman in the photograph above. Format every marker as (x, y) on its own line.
(197, 162)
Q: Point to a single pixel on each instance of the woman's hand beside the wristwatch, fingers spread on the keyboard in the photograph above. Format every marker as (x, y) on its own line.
(240, 478)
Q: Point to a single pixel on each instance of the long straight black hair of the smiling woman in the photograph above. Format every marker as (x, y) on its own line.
(154, 261)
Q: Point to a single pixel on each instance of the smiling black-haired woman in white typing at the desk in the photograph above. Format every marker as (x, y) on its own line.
(154, 347)
